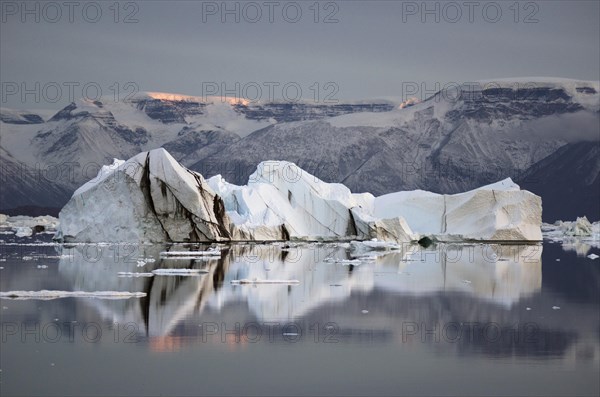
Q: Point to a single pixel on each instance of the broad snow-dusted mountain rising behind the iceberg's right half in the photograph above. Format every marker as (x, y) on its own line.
(456, 140)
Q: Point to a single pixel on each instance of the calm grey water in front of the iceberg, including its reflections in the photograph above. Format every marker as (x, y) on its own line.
(449, 320)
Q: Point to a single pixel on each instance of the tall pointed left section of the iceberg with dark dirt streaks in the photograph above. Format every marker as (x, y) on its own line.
(148, 198)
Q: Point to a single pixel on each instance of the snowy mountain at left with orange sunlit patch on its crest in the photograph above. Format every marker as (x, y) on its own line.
(71, 146)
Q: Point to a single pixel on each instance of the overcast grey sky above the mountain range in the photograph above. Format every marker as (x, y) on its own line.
(369, 50)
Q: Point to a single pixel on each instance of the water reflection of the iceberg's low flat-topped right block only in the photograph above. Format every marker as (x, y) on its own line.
(498, 273)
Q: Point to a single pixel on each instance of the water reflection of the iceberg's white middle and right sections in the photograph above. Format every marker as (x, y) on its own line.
(501, 274)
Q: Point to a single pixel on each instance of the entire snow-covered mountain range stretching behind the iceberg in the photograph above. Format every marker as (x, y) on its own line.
(456, 140)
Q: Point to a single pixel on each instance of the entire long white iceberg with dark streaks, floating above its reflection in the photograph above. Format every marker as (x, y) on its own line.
(152, 198)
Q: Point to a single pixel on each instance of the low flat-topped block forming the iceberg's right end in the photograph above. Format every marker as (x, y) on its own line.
(496, 212)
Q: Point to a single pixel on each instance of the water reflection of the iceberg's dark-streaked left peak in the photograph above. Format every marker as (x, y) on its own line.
(169, 298)
